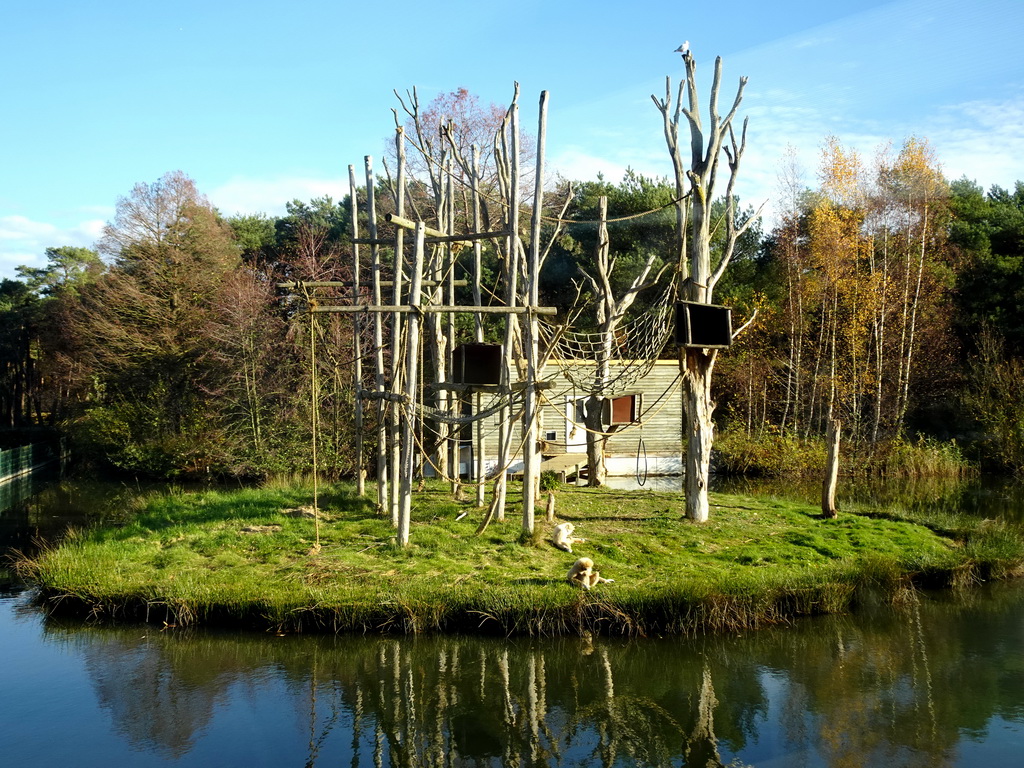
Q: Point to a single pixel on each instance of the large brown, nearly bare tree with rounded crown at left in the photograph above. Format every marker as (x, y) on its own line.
(143, 329)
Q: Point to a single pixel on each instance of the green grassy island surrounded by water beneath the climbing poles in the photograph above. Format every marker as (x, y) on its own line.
(251, 559)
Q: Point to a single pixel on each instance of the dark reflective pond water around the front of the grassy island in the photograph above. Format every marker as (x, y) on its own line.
(937, 684)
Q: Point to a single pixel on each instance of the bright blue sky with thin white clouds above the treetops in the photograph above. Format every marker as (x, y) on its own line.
(263, 103)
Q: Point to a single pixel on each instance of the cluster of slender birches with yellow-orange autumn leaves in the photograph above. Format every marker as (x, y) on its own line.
(867, 275)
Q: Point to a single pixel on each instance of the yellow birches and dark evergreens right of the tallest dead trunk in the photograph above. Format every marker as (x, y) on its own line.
(890, 302)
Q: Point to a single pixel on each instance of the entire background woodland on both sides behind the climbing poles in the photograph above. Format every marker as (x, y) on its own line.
(886, 297)
